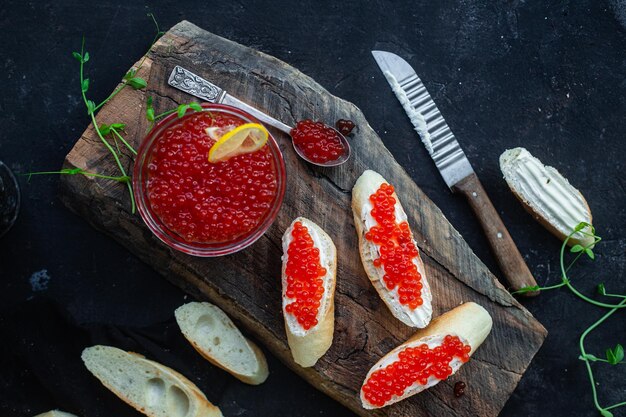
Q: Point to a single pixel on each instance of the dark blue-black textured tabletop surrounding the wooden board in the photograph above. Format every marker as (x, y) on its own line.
(551, 78)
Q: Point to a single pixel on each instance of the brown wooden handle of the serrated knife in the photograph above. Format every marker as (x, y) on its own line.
(509, 259)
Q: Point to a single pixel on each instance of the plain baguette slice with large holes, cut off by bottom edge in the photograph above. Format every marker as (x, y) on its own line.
(149, 387)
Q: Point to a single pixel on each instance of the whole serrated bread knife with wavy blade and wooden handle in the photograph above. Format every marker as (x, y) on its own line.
(453, 164)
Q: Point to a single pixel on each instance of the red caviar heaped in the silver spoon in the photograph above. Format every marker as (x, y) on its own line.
(318, 142)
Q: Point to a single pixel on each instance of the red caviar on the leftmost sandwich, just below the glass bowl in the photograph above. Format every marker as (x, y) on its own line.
(304, 277)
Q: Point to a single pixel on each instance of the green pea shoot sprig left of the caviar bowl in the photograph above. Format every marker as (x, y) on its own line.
(108, 133)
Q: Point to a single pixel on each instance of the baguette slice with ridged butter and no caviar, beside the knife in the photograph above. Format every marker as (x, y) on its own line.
(546, 195)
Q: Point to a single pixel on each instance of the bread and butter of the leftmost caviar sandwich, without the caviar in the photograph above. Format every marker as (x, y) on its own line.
(306, 349)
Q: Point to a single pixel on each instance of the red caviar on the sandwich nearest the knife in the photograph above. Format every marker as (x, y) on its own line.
(397, 249)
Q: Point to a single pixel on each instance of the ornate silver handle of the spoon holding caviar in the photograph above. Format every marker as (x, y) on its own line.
(193, 84)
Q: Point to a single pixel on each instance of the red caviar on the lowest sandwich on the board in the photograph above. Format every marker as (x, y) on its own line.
(414, 365)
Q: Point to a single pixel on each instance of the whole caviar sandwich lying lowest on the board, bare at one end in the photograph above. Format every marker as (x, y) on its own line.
(430, 356)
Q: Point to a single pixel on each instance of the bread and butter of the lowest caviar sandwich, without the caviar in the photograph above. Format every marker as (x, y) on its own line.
(469, 321)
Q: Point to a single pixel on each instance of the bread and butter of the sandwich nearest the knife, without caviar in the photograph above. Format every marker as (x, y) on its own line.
(365, 186)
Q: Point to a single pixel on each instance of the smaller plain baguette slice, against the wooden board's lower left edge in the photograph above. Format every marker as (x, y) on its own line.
(217, 339)
